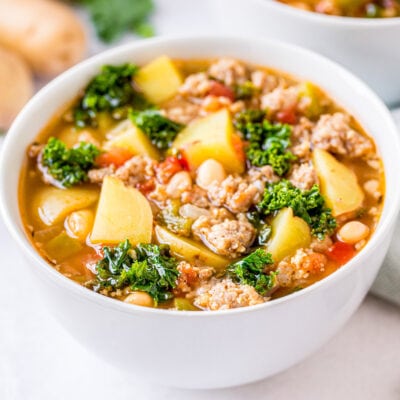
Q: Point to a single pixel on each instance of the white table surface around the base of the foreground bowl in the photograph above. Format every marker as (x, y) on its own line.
(40, 361)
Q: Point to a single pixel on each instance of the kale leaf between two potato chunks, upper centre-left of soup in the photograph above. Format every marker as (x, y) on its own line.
(161, 130)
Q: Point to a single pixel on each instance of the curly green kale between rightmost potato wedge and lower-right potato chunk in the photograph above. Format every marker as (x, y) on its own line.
(307, 204)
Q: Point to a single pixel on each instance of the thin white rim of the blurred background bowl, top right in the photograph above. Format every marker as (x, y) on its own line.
(331, 19)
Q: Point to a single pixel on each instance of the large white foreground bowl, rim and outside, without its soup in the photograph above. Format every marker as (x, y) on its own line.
(207, 349)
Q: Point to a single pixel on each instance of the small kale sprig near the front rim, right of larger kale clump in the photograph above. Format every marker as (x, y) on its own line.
(250, 271)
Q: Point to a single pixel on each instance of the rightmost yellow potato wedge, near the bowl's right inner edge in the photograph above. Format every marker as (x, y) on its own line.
(338, 183)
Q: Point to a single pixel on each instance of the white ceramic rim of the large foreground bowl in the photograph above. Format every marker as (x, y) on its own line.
(389, 212)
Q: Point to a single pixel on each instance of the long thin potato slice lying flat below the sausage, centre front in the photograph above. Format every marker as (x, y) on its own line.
(189, 249)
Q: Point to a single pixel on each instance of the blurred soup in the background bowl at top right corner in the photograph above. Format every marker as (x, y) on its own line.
(346, 8)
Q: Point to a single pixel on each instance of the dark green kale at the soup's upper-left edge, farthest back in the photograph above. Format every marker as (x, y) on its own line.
(109, 91)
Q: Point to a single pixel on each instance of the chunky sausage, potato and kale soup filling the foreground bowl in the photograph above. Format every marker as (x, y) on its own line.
(200, 185)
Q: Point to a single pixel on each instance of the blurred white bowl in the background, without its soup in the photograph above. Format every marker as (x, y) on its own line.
(368, 47)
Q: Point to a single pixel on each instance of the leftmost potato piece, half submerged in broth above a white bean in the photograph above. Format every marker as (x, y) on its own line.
(53, 205)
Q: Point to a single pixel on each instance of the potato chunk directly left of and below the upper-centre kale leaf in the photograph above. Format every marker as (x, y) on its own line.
(127, 136)
